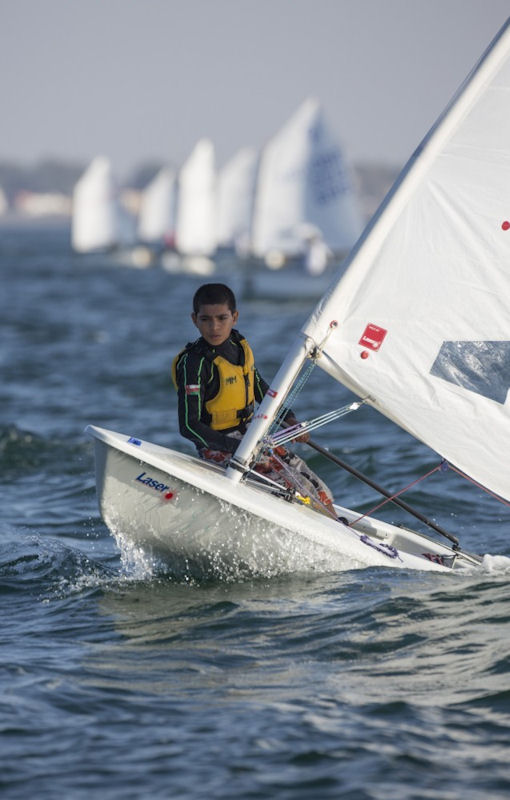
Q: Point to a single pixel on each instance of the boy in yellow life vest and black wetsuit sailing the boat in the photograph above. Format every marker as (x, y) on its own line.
(218, 385)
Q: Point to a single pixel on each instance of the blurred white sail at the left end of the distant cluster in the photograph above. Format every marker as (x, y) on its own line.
(98, 221)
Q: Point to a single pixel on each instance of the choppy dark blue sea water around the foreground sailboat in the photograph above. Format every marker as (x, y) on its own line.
(374, 683)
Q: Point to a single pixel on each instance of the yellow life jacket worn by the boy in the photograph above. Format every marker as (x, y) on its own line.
(234, 402)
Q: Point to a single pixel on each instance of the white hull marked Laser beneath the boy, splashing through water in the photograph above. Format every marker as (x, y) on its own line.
(162, 505)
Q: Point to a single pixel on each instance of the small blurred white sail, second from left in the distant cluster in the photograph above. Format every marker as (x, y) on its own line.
(156, 221)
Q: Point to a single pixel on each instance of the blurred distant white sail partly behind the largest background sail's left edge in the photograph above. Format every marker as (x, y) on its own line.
(236, 191)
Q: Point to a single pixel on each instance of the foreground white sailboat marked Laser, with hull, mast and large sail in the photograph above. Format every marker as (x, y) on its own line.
(417, 327)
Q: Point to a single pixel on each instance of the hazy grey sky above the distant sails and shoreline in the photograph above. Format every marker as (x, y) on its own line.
(142, 80)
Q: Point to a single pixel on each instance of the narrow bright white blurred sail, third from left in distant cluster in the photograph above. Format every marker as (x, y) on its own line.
(196, 211)
